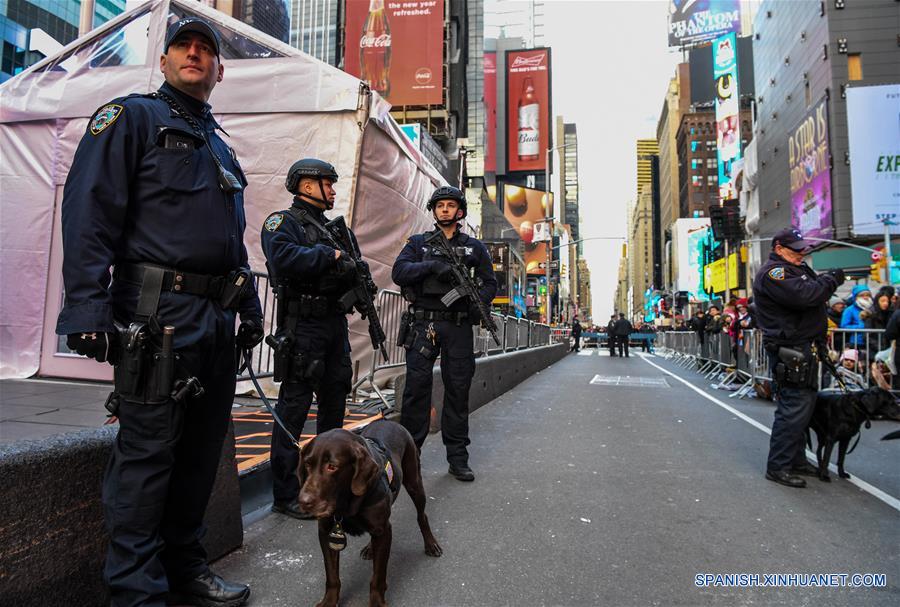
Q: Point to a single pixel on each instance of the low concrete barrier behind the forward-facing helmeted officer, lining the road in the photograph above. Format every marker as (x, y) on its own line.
(494, 375)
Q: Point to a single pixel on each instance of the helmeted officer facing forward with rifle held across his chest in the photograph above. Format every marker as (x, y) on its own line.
(438, 329)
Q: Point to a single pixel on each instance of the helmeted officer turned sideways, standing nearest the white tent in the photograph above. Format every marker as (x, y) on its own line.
(312, 348)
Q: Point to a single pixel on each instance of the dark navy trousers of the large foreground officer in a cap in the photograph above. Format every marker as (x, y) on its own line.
(160, 476)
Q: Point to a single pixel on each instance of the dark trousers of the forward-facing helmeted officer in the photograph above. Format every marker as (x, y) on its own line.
(454, 343)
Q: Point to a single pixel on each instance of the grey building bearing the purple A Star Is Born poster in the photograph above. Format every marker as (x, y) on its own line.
(806, 54)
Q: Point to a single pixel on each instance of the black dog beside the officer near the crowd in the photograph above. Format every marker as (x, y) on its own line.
(837, 419)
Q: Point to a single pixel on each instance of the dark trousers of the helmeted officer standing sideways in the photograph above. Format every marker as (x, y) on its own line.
(324, 347)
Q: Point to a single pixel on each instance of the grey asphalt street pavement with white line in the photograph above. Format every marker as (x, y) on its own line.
(617, 492)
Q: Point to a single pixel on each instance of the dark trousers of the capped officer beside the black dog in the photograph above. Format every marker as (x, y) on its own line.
(794, 408)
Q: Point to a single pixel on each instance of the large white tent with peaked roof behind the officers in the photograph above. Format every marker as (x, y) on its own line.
(276, 104)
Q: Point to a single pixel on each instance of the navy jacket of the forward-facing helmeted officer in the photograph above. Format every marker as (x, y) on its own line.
(416, 262)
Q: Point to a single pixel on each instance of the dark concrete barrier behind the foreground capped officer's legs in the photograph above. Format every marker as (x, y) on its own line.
(52, 535)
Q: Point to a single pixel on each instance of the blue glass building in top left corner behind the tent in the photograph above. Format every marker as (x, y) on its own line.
(36, 29)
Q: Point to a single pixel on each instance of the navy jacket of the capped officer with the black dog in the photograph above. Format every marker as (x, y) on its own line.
(791, 302)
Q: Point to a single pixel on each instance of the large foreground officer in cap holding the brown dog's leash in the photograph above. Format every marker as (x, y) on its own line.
(156, 193)
